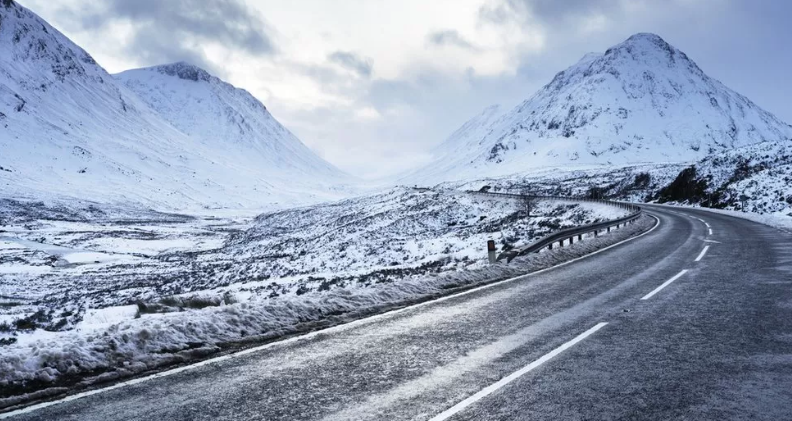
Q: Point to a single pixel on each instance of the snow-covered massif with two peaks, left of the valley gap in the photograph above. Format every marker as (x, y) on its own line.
(69, 129)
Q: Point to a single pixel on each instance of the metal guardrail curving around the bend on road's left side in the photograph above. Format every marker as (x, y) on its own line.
(568, 233)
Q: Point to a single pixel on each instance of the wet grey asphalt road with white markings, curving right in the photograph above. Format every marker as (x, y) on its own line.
(653, 329)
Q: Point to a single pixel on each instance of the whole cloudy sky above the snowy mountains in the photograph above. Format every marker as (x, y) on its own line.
(373, 85)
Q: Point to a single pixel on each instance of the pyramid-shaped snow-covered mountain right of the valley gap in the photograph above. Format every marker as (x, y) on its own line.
(642, 101)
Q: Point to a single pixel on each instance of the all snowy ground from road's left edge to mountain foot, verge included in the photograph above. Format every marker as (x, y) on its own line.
(118, 298)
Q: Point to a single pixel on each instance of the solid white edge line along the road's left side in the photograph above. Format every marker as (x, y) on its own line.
(337, 328)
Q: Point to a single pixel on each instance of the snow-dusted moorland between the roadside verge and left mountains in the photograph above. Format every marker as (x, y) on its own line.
(65, 264)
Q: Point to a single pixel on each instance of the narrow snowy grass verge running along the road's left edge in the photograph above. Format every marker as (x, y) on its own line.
(117, 350)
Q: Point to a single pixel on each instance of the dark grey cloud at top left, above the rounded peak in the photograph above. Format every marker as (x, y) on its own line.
(168, 31)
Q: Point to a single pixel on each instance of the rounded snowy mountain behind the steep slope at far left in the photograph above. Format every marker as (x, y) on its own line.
(226, 119)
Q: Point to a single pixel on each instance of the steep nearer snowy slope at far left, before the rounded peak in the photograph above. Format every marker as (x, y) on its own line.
(69, 129)
